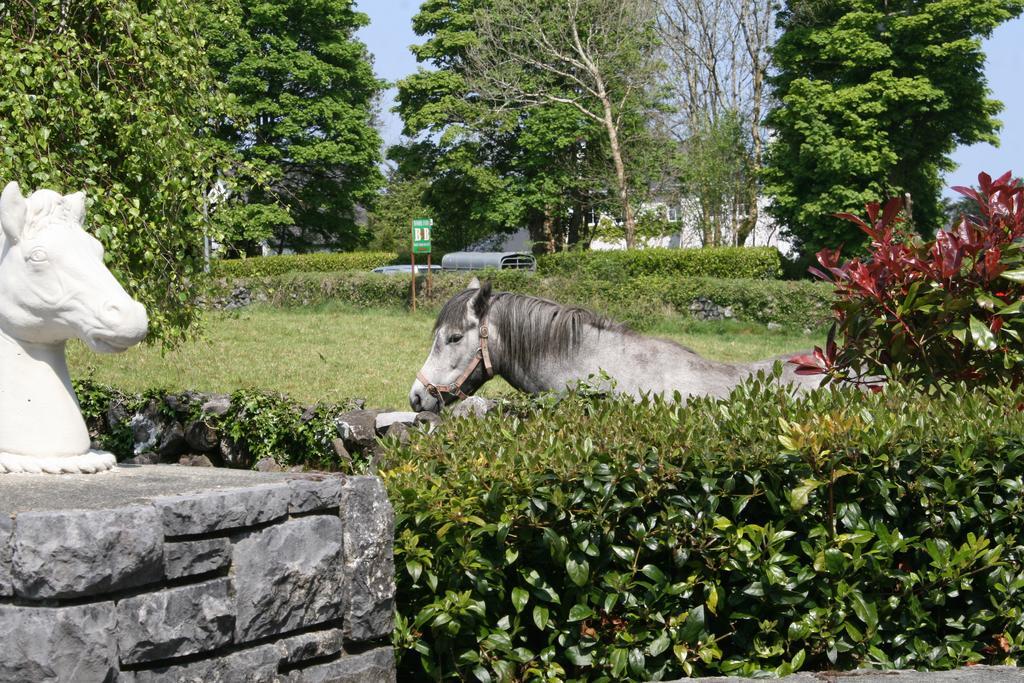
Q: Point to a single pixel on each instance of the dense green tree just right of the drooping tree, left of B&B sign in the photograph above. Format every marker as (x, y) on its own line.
(306, 91)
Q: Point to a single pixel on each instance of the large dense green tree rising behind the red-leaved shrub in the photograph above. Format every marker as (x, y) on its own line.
(873, 98)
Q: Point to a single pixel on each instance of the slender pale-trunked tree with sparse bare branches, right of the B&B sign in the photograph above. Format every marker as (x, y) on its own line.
(594, 56)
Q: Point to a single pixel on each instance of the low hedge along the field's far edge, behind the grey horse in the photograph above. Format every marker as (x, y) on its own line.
(638, 302)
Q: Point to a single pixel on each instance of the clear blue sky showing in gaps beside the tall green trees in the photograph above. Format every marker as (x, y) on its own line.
(391, 34)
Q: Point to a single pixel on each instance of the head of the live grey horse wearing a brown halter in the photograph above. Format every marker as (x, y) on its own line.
(459, 363)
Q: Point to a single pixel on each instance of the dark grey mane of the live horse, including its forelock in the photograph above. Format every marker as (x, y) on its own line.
(532, 329)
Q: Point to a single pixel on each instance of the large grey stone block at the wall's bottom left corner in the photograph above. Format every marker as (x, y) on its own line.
(66, 645)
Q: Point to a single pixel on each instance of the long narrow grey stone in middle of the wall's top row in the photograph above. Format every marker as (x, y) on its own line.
(219, 510)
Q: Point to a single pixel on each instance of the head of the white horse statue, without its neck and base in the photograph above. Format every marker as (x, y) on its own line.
(54, 284)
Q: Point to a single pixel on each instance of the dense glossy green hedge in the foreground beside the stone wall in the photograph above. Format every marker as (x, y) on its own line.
(583, 540)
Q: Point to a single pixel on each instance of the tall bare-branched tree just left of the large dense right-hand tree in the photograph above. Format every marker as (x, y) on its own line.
(718, 56)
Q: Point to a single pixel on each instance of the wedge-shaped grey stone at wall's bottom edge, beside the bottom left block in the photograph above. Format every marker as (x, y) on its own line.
(257, 665)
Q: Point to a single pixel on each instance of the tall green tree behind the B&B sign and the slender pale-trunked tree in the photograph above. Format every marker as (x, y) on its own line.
(492, 168)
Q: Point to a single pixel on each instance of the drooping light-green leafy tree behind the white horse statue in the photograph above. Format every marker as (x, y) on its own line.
(115, 98)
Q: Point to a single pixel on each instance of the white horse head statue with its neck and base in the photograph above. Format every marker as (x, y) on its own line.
(54, 287)
